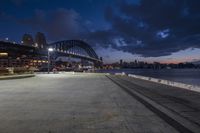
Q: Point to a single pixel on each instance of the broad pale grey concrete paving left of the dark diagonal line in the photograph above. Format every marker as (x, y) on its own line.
(67, 103)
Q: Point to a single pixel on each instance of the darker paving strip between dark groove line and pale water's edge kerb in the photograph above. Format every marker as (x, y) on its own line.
(181, 102)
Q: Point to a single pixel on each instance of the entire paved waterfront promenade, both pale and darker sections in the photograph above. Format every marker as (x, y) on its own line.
(95, 103)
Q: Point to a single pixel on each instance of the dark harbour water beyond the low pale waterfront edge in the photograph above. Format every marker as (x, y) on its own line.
(187, 76)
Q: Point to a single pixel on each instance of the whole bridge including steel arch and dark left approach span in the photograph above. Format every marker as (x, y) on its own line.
(67, 48)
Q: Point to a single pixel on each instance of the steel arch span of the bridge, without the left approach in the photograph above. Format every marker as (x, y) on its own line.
(75, 48)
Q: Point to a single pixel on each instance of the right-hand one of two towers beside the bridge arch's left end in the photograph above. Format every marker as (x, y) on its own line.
(40, 40)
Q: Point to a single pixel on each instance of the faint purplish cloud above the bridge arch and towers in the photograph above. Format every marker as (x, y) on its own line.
(58, 24)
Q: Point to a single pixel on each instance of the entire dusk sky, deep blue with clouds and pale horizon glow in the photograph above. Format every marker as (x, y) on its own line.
(166, 31)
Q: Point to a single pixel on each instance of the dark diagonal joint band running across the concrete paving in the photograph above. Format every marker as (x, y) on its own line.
(179, 123)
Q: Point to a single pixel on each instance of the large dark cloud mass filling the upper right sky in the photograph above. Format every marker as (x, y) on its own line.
(161, 26)
